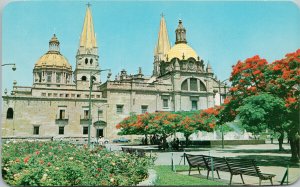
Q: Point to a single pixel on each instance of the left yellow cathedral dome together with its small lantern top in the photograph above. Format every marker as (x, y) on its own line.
(53, 58)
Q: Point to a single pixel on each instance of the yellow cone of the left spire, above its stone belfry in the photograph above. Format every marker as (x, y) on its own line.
(88, 38)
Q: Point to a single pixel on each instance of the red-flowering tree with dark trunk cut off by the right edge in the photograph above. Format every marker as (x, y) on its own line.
(285, 83)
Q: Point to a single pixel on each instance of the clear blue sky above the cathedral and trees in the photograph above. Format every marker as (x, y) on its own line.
(220, 32)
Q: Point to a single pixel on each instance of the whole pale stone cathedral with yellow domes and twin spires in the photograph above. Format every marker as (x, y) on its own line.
(63, 101)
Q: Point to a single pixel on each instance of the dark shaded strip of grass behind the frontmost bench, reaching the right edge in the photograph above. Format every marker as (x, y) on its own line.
(268, 160)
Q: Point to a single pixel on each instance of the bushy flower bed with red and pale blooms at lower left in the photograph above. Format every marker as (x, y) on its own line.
(63, 164)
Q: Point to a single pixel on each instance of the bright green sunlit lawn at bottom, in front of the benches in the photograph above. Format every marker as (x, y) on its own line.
(168, 177)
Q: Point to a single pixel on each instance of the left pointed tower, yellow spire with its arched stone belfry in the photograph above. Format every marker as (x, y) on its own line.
(87, 64)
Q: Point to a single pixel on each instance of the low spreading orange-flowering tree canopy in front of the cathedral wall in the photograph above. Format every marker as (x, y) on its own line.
(166, 123)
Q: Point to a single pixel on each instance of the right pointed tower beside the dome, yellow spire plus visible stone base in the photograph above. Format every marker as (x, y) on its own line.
(162, 46)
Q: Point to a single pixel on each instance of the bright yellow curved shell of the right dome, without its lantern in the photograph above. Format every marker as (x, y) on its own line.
(178, 50)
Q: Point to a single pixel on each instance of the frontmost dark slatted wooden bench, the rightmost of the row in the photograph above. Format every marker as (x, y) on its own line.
(246, 167)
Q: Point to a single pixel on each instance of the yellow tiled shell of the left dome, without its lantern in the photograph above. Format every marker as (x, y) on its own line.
(53, 60)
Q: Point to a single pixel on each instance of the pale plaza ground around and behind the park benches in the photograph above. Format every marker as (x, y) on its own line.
(269, 159)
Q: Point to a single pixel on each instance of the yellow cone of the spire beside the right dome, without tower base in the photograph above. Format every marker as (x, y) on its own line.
(163, 44)
